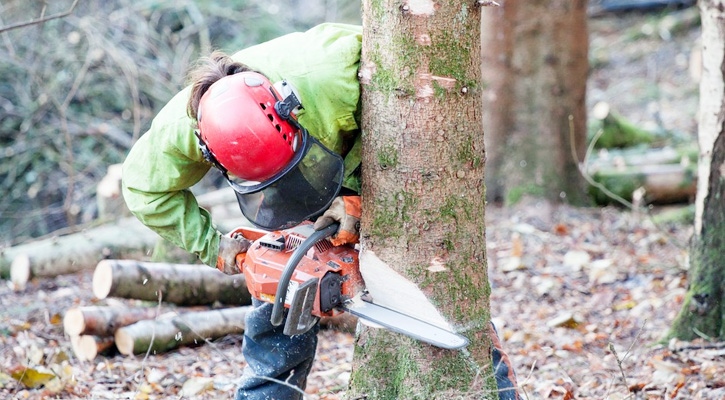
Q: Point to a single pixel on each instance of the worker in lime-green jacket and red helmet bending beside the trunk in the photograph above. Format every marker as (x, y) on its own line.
(280, 121)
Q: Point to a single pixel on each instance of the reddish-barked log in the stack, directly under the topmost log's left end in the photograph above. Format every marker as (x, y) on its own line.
(102, 321)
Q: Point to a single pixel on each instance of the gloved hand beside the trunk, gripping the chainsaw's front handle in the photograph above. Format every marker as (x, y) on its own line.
(346, 211)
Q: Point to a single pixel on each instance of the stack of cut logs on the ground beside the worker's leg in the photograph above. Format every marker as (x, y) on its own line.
(97, 330)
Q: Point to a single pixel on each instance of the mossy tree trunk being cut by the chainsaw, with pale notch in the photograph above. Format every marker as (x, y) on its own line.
(423, 198)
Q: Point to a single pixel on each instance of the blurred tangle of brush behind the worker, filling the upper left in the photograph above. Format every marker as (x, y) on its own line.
(77, 92)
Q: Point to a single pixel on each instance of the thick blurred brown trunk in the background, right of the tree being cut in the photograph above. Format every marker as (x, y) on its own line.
(535, 70)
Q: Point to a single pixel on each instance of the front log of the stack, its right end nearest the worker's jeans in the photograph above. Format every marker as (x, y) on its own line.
(164, 334)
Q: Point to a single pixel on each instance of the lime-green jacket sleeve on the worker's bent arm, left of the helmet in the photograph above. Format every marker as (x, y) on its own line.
(157, 175)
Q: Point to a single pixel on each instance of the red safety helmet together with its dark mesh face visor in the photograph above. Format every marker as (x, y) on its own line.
(247, 128)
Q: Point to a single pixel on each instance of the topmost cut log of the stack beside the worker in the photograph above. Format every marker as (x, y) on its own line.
(180, 284)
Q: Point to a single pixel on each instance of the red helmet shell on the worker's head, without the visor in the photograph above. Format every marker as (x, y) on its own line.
(242, 130)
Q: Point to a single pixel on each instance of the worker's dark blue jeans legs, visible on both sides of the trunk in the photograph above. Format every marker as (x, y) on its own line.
(272, 354)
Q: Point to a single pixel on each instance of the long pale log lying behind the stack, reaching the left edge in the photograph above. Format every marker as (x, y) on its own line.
(75, 252)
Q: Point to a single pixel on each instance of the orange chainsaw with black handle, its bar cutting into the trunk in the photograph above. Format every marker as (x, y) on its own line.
(299, 269)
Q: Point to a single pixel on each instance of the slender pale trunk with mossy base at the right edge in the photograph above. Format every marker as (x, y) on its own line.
(703, 308)
